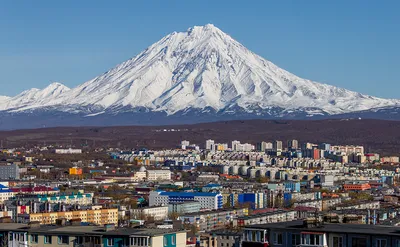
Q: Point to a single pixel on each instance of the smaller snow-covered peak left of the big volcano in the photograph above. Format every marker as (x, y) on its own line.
(34, 97)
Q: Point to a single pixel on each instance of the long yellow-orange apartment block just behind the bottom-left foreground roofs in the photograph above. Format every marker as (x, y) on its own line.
(96, 216)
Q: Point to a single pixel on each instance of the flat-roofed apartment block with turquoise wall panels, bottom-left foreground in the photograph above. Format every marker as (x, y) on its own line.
(21, 235)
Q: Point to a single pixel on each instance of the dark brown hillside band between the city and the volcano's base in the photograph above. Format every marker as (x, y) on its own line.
(376, 135)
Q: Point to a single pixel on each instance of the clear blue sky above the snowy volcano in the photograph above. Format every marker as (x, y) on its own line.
(352, 44)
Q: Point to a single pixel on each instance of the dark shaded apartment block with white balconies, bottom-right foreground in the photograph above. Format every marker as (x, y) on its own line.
(307, 233)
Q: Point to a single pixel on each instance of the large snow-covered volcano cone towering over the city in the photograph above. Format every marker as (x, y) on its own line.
(202, 67)
